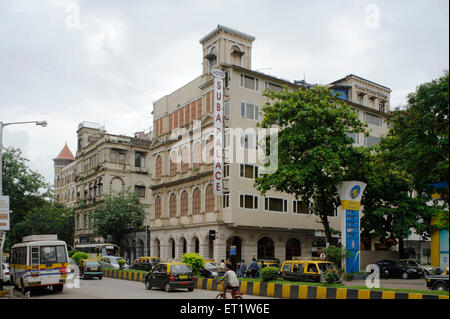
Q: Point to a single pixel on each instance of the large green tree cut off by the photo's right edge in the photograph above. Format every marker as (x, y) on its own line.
(419, 134)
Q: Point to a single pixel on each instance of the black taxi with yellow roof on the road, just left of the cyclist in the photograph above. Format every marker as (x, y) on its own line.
(169, 276)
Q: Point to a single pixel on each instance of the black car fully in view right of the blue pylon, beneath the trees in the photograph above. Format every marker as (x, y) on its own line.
(399, 268)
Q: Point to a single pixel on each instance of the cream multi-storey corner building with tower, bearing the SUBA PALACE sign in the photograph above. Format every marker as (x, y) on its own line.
(246, 224)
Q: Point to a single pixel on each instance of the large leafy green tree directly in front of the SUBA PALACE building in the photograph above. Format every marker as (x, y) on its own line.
(315, 150)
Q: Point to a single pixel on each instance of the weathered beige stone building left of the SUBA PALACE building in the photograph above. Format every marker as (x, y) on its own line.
(104, 164)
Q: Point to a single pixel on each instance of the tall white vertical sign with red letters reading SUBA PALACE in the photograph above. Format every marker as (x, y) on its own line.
(218, 131)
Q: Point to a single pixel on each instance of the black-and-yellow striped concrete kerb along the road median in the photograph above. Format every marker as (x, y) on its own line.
(288, 291)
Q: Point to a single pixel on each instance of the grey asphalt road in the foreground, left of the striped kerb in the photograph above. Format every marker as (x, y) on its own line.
(109, 288)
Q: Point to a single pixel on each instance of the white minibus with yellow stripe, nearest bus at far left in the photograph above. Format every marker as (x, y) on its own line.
(40, 260)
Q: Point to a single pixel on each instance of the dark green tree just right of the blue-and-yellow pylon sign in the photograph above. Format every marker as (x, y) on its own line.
(389, 208)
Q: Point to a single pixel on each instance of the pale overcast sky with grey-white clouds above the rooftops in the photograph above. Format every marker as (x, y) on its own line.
(67, 61)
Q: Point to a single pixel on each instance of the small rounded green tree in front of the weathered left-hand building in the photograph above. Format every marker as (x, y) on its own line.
(118, 214)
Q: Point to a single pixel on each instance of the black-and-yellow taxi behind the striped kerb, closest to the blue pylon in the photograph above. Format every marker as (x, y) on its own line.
(305, 269)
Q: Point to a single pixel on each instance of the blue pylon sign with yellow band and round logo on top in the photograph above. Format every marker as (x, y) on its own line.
(350, 194)
